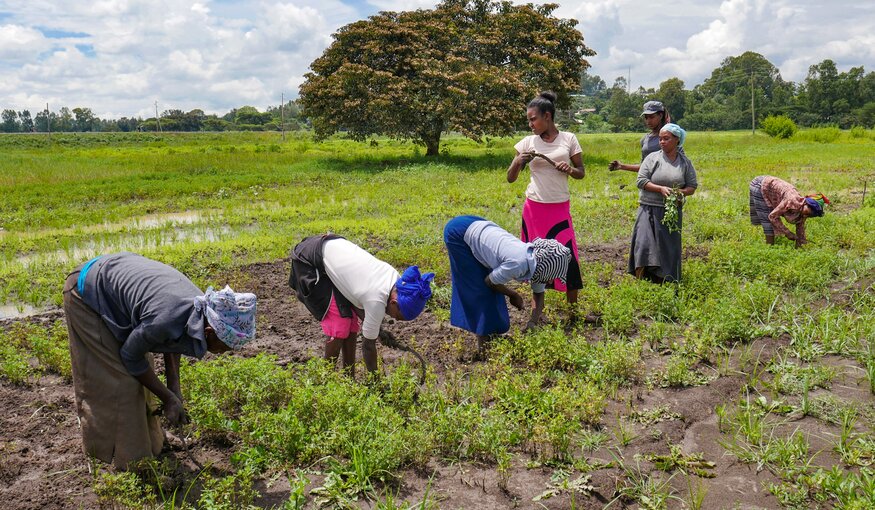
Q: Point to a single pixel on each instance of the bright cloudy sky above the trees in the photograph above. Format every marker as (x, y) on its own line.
(120, 57)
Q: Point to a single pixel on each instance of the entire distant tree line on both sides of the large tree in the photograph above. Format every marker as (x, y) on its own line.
(722, 102)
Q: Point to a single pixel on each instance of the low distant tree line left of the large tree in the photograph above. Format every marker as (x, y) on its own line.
(245, 118)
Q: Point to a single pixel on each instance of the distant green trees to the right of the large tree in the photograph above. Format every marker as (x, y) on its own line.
(723, 100)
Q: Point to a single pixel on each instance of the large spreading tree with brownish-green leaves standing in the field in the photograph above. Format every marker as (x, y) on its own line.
(466, 65)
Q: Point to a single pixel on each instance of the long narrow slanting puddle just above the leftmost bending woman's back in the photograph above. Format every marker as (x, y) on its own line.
(135, 242)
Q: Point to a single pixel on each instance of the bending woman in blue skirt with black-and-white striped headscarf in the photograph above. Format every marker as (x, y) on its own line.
(483, 259)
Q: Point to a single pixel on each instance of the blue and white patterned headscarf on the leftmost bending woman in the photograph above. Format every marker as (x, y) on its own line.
(231, 315)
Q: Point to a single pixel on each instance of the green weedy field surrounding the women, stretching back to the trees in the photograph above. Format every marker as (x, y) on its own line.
(777, 343)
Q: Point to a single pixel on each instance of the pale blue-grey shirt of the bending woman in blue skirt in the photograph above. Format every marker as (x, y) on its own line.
(507, 256)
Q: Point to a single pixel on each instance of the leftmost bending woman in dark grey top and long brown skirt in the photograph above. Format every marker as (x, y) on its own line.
(120, 308)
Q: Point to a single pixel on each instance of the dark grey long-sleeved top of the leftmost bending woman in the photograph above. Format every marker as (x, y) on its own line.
(148, 306)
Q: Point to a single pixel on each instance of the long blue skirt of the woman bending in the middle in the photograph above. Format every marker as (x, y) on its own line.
(475, 307)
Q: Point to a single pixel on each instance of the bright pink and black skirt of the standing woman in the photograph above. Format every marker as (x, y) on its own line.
(553, 221)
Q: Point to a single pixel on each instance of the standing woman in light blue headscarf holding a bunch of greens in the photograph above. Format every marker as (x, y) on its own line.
(656, 247)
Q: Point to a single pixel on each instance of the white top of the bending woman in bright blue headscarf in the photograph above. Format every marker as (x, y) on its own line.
(363, 279)
